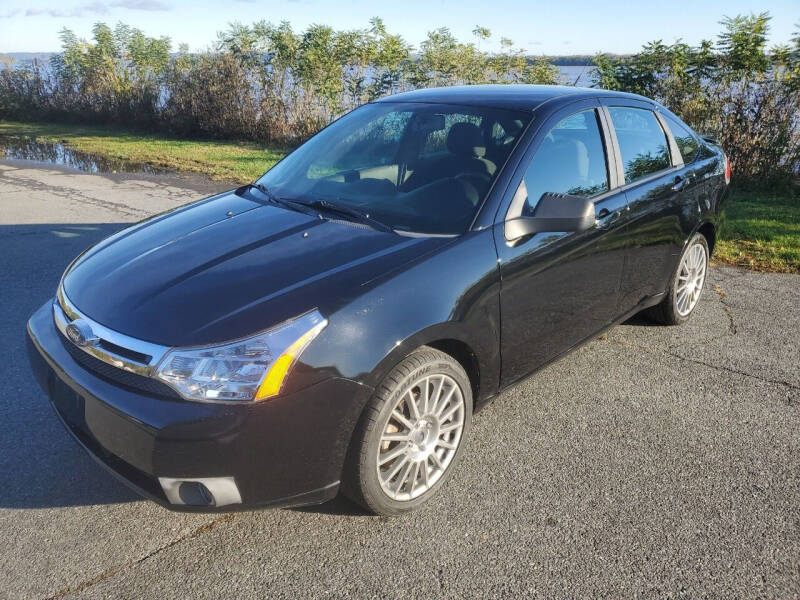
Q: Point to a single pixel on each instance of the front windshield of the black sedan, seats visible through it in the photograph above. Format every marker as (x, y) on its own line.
(414, 167)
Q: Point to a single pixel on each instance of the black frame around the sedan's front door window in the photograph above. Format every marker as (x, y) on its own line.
(515, 207)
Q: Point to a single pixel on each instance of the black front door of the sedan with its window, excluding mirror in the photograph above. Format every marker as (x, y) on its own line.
(557, 289)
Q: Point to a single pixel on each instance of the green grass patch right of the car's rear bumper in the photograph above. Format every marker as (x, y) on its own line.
(762, 231)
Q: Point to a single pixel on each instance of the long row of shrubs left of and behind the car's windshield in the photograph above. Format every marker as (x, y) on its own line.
(264, 82)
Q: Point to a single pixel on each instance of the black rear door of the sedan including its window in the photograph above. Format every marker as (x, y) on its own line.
(660, 189)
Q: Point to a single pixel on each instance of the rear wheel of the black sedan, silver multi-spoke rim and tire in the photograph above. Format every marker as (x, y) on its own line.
(674, 309)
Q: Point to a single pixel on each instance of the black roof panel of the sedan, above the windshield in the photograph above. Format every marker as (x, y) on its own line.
(510, 96)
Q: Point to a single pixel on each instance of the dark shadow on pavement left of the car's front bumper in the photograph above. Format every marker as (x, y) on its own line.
(40, 464)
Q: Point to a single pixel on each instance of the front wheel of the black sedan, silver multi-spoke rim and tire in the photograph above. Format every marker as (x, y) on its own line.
(366, 478)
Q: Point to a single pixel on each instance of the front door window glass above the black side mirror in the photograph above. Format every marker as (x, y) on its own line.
(571, 160)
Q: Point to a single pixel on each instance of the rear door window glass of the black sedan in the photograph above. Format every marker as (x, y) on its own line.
(642, 142)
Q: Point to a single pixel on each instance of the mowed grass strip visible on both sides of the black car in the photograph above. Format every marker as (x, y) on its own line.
(762, 230)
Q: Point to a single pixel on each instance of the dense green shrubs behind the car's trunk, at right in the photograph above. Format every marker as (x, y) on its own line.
(735, 90)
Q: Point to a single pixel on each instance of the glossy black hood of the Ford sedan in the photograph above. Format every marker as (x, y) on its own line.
(227, 267)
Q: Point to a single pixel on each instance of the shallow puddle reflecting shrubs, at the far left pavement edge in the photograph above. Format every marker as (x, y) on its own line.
(56, 153)
